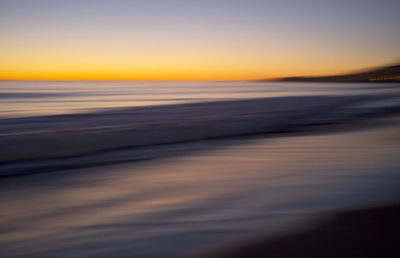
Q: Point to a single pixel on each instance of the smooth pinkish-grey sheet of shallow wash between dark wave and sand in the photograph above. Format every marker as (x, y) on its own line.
(183, 205)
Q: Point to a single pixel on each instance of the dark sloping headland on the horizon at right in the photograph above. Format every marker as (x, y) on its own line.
(382, 74)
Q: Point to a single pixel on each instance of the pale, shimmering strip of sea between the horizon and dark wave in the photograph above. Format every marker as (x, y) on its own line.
(44, 98)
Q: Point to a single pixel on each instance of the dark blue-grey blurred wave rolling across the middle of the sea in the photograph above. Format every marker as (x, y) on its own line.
(35, 144)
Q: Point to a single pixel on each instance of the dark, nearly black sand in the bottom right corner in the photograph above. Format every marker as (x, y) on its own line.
(372, 232)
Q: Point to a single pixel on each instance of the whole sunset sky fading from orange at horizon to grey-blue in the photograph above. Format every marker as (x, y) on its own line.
(194, 40)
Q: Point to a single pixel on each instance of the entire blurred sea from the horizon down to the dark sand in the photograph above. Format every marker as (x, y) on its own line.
(131, 169)
